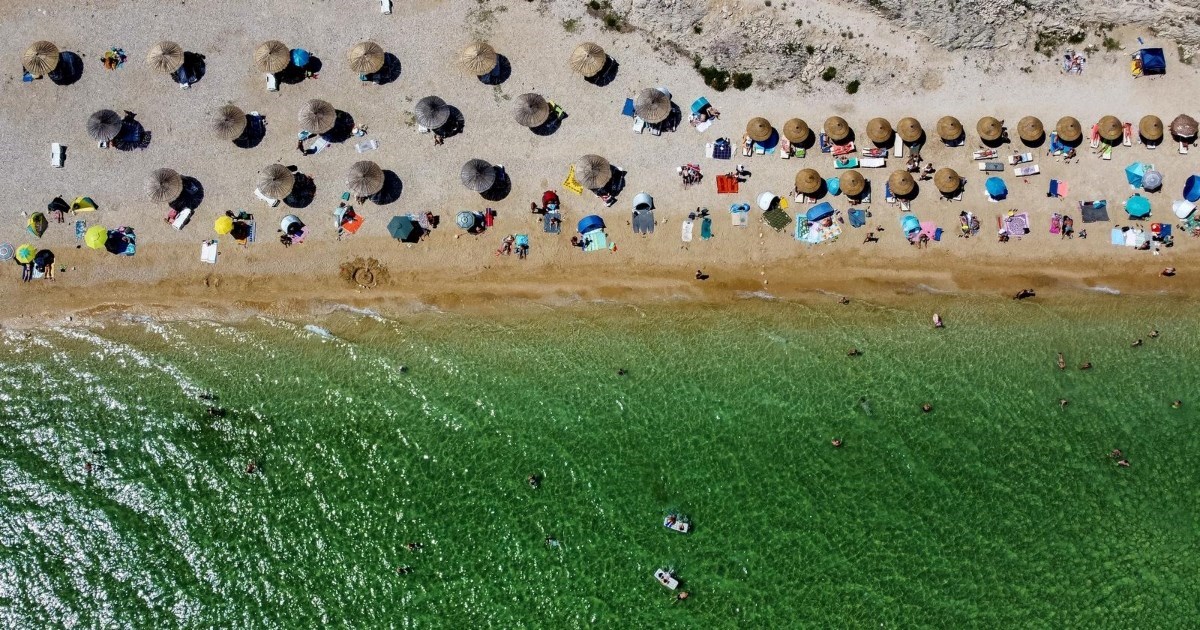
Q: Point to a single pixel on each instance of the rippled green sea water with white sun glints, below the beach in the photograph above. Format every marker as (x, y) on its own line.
(999, 509)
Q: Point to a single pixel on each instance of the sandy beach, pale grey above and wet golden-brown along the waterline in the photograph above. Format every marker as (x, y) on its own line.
(454, 271)
